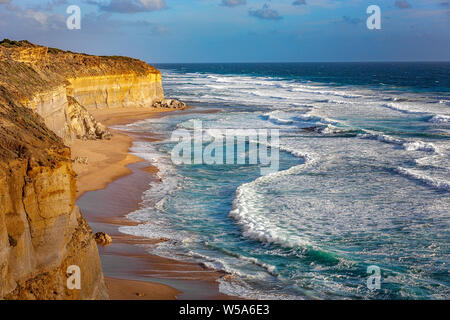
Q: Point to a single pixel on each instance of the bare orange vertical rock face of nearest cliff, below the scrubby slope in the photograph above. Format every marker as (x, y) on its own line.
(42, 233)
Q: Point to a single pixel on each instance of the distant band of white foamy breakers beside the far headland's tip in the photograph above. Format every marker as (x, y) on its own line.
(254, 90)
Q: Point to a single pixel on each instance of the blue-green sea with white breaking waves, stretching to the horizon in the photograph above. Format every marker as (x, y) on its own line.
(364, 179)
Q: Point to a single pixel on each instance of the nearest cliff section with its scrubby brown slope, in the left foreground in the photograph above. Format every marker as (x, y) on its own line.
(41, 230)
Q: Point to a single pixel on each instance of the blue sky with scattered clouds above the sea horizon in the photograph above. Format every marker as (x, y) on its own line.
(185, 31)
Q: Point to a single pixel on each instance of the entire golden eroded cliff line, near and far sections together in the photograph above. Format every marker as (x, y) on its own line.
(45, 97)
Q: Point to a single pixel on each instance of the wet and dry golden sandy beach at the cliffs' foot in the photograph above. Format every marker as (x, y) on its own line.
(109, 187)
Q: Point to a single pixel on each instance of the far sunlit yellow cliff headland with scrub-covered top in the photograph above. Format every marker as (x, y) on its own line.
(64, 86)
